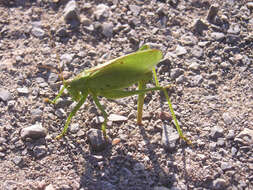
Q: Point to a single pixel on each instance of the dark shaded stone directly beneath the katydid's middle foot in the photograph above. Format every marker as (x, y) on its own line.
(96, 139)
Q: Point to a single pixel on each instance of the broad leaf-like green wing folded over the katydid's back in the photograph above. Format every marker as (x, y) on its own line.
(123, 71)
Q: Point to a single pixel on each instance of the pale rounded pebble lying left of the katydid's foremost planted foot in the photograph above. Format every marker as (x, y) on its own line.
(35, 132)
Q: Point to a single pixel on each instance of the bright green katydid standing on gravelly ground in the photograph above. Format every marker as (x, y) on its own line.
(109, 80)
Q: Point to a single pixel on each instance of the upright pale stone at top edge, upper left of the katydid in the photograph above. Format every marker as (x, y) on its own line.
(70, 11)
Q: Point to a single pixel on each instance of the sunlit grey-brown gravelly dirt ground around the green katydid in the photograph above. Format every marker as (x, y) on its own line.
(207, 47)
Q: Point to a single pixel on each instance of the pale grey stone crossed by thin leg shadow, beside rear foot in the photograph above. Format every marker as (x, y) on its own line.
(170, 138)
